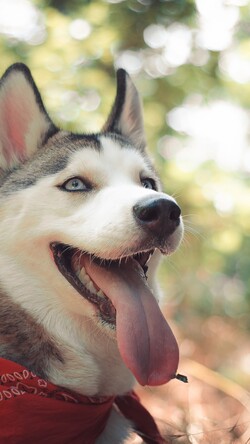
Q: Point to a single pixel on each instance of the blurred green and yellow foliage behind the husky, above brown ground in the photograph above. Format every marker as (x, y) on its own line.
(73, 47)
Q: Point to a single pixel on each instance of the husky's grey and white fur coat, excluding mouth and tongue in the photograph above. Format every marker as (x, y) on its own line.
(81, 191)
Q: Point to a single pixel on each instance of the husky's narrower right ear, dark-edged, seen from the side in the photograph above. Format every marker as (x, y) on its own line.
(126, 115)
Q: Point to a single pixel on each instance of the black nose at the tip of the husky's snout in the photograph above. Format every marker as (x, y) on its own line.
(160, 215)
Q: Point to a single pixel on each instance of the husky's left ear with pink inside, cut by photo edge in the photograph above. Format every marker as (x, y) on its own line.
(24, 122)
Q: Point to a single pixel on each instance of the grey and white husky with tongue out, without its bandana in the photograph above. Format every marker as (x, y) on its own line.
(83, 222)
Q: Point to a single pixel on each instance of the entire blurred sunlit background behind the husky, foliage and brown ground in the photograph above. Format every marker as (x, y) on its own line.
(191, 63)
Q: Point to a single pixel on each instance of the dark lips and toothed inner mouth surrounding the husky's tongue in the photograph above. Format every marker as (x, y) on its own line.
(69, 261)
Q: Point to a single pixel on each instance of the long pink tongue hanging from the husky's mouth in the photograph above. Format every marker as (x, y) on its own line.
(145, 340)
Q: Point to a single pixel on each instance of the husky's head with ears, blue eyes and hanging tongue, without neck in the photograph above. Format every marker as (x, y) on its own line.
(85, 217)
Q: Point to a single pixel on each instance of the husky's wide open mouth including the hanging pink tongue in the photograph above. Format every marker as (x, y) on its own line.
(119, 290)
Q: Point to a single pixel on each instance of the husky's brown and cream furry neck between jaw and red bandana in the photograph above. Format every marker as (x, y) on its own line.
(88, 361)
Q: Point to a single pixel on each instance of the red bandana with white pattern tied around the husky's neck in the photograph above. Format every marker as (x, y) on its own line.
(33, 410)
